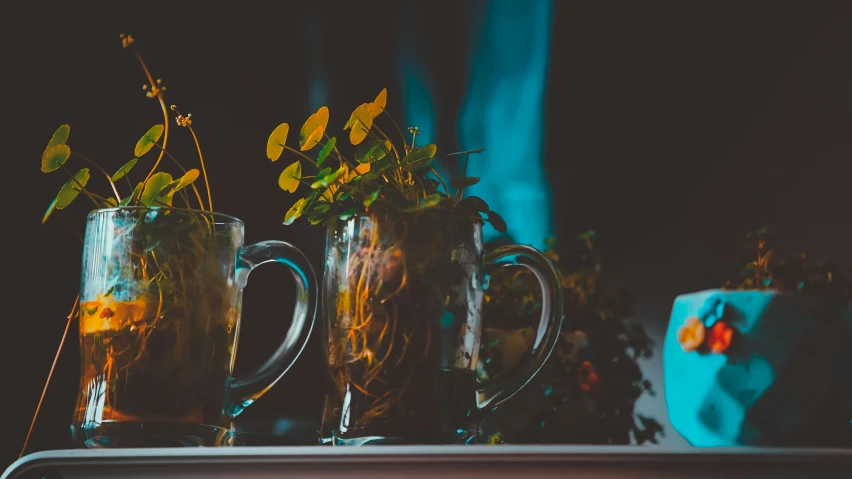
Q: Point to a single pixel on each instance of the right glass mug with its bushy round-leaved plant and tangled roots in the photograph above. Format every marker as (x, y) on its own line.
(402, 288)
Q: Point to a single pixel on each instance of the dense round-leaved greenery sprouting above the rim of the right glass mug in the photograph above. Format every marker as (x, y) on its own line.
(380, 174)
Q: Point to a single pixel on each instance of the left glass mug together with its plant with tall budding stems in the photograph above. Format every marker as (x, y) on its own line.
(160, 297)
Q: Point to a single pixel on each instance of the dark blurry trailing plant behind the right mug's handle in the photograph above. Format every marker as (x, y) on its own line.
(587, 391)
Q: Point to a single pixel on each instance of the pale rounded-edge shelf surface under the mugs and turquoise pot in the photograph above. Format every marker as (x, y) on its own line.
(414, 462)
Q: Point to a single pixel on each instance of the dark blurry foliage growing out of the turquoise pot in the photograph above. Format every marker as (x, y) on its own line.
(798, 273)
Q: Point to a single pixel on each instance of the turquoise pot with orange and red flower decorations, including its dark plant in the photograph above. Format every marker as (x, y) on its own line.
(765, 360)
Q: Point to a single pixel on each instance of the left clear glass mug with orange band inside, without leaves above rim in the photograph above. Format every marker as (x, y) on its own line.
(160, 304)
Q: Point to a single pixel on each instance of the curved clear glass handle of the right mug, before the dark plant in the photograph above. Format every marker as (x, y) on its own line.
(507, 384)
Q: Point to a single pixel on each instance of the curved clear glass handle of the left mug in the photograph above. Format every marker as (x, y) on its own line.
(243, 391)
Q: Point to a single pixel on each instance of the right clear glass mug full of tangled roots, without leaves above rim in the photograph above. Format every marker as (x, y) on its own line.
(402, 303)
